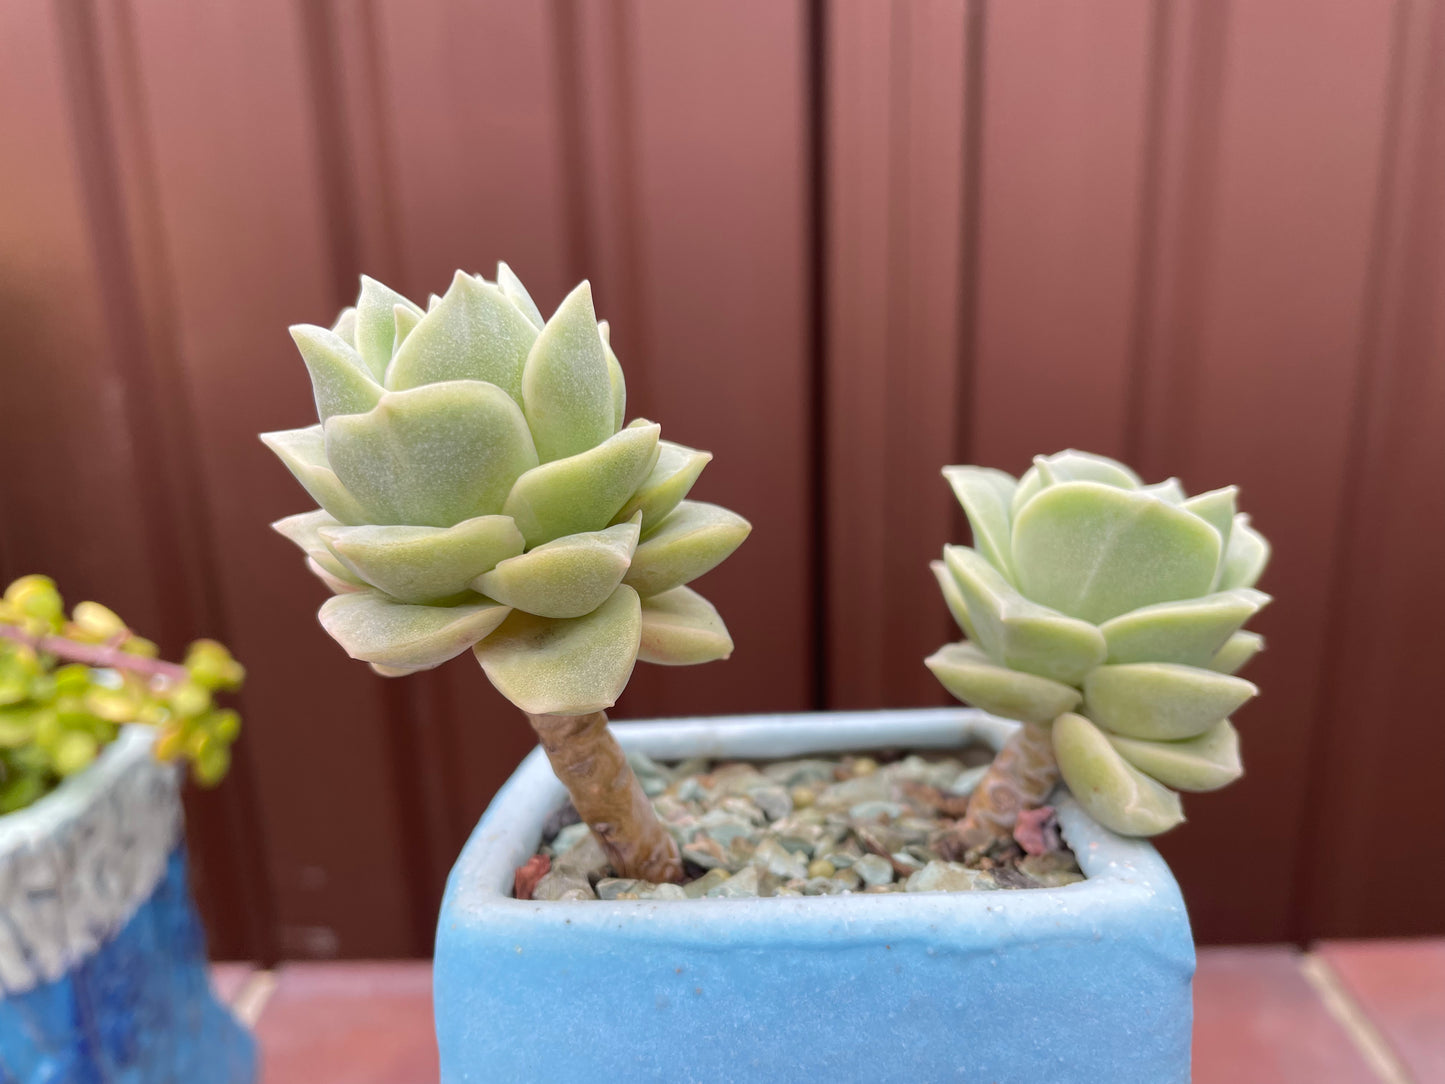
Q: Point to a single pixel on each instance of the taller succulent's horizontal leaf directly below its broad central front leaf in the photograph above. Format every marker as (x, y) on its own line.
(415, 564)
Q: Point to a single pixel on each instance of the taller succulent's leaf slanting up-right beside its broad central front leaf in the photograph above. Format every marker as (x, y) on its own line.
(583, 492)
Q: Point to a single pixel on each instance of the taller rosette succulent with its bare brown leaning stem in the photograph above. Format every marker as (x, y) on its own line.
(479, 491)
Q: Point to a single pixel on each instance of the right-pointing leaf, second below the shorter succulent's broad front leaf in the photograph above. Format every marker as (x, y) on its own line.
(1160, 700)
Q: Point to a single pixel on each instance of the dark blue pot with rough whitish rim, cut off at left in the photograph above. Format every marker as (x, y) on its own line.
(103, 971)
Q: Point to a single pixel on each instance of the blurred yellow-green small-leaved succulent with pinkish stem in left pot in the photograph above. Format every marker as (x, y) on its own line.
(67, 686)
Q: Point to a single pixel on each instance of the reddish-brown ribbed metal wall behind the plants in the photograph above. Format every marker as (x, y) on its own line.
(842, 245)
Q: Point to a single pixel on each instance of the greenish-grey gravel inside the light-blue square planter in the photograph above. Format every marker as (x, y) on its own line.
(806, 827)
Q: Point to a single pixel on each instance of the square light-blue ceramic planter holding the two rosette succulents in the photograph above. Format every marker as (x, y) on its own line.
(1043, 986)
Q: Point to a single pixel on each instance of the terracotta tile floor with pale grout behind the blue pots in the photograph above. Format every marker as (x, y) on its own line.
(1363, 1012)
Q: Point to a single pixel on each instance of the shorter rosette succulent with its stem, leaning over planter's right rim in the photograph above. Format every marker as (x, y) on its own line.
(1108, 616)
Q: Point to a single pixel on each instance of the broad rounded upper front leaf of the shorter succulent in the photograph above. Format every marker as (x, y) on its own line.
(1093, 551)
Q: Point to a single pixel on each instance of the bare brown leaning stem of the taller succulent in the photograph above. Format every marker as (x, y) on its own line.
(606, 793)
